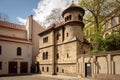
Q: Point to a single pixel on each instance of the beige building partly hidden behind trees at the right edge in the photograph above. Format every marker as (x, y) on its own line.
(112, 24)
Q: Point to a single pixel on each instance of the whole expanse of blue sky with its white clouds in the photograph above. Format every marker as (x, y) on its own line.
(19, 10)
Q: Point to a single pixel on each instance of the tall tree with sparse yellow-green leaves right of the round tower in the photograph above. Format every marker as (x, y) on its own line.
(96, 13)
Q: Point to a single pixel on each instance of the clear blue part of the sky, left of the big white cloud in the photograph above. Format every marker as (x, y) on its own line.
(18, 8)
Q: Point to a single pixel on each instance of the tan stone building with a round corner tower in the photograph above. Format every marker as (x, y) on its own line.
(61, 44)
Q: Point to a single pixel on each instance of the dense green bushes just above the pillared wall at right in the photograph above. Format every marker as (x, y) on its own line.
(111, 43)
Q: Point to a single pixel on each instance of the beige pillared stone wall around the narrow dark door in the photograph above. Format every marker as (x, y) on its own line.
(105, 63)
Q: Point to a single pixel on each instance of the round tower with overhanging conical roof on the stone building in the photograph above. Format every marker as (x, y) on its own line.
(73, 17)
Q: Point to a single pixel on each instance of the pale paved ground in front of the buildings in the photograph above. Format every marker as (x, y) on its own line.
(42, 77)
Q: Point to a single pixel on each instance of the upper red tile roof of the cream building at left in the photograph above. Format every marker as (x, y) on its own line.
(12, 25)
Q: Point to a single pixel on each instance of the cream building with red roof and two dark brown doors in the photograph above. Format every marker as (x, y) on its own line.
(18, 46)
